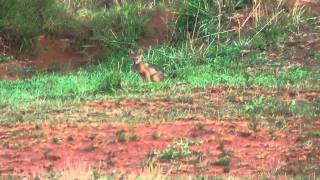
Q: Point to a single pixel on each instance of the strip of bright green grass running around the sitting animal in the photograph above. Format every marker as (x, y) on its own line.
(107, 80)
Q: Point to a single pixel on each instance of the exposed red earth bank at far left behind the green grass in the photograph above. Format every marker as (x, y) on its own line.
(51, 52)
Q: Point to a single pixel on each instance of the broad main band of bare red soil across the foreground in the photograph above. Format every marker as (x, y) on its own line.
(22, 151)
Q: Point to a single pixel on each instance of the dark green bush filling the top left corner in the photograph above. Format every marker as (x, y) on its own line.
(21, 21)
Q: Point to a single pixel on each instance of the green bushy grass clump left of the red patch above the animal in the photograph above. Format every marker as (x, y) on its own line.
(120, 26)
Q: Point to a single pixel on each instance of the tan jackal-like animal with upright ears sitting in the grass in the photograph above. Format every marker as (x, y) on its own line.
(146, 71)
